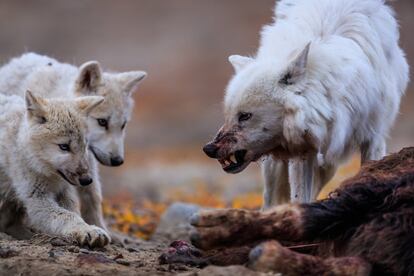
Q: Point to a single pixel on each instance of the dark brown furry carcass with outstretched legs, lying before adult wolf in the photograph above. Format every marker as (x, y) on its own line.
(364, 228)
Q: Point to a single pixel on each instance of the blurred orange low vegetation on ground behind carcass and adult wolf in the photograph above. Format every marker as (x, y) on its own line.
(141, 218)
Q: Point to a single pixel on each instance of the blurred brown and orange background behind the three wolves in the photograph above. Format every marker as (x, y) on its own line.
(183, 45)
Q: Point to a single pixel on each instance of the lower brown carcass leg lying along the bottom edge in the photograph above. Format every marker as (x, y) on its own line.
(273, 257)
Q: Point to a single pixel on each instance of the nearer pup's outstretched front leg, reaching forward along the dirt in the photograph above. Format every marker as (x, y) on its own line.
(45, 215)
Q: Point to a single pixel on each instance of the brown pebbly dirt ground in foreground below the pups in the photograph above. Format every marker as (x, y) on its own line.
(50, 256)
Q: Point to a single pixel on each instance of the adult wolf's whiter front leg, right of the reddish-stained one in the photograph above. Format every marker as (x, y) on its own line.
(301, 178)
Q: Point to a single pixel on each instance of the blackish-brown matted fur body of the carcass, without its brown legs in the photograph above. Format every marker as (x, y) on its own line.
(371, 215)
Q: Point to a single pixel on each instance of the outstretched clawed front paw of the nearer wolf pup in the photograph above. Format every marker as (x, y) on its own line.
(92, 236)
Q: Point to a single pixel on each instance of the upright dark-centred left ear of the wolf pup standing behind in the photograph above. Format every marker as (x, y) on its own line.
(89, 78)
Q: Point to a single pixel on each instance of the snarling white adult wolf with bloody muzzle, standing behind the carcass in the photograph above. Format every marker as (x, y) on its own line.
(326, 81)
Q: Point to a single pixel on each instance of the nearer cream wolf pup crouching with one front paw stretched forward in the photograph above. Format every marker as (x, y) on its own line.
(44, 158)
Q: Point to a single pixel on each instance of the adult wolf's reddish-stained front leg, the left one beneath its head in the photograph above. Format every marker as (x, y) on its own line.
(276, 190)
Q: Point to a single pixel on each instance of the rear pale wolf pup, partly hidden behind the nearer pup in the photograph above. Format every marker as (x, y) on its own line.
(106, 123)
